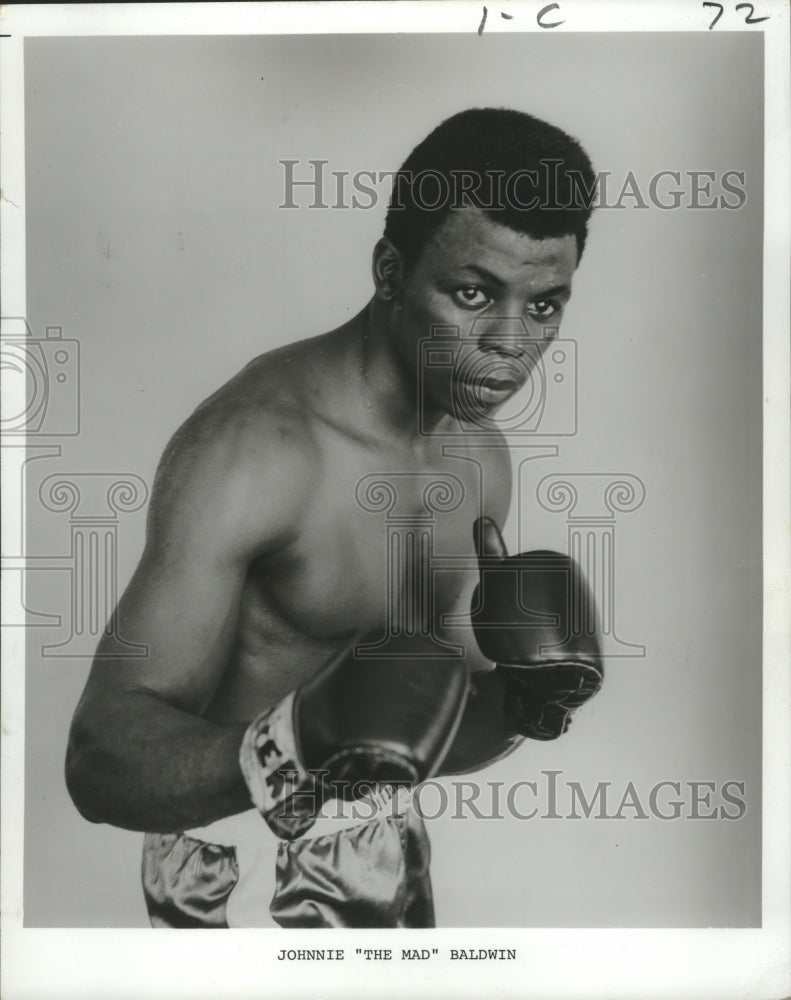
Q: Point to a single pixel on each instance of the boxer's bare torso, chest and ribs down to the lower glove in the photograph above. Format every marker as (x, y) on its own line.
(385, 545)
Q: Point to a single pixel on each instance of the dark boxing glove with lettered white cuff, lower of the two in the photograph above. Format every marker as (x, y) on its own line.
(358, 722)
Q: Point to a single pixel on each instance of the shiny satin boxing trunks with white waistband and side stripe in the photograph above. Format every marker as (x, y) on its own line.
(362, 864)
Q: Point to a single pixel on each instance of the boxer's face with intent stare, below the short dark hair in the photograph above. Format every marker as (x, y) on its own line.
(503, 290)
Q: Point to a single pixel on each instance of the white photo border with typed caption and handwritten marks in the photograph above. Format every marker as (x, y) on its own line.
(747, 963)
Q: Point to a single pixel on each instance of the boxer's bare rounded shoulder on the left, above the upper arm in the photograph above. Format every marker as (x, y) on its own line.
(240, 468)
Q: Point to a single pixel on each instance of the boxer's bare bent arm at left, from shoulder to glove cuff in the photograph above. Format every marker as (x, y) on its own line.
(140, 755)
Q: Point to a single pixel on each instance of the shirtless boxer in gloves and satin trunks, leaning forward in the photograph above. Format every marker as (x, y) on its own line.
(262, 566)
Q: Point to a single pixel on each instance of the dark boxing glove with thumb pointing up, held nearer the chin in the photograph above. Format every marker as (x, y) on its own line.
(535, 618)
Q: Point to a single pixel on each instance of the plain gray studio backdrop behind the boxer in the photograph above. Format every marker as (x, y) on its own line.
(155, 241)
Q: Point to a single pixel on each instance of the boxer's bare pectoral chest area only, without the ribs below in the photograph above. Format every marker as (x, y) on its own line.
(396, 541)
